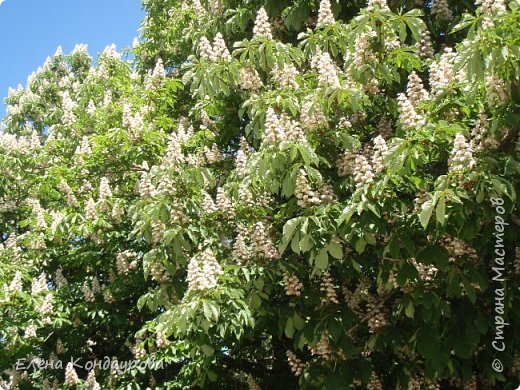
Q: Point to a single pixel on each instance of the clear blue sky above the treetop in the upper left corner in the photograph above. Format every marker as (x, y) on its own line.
(31, 30)
